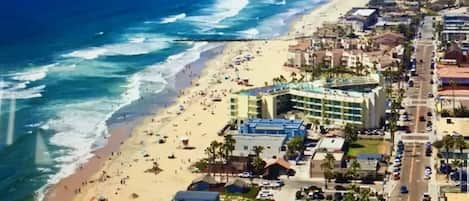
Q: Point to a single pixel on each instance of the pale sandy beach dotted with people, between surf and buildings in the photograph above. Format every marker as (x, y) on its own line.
(119, 173)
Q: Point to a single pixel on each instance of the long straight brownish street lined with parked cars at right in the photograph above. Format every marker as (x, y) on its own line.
(417, 103)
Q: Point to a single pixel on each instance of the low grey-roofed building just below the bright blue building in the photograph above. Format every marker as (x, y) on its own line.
(273, 145)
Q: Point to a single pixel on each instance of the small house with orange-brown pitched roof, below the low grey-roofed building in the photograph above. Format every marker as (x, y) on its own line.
(276, 167)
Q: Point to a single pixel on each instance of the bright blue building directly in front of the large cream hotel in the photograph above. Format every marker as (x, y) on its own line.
(288, 127)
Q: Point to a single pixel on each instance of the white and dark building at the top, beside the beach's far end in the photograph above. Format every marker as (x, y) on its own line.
(362, 18)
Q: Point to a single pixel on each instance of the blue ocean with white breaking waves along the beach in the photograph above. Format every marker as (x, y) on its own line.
(70, 70)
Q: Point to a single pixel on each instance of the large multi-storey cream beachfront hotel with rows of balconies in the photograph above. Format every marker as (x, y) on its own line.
(355, 100)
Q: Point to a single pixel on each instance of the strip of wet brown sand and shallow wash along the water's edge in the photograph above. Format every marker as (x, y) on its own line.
(121, 130)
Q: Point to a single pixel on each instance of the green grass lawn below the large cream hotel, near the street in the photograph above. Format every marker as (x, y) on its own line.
(367, 147)
